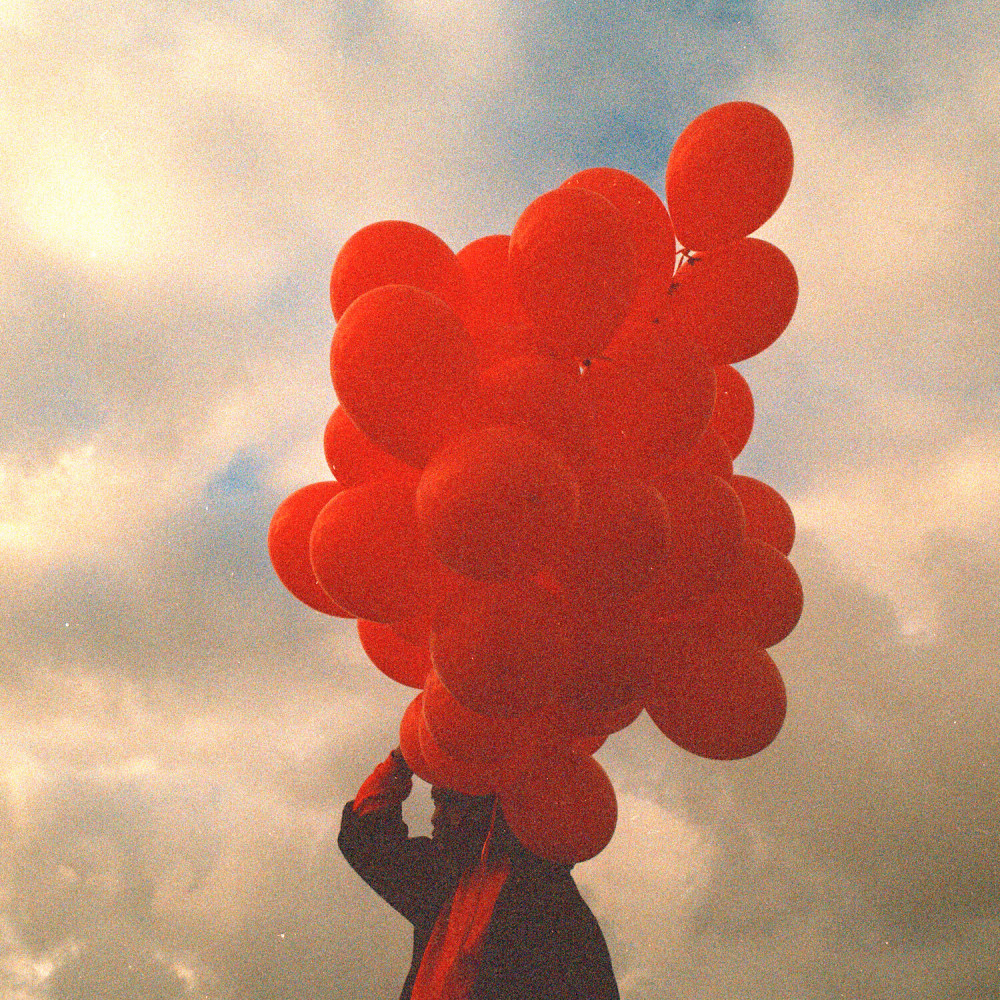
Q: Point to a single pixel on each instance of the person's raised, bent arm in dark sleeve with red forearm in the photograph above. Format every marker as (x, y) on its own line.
(405, 871)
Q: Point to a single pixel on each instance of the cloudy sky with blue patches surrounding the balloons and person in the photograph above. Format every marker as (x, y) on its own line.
(179, 734)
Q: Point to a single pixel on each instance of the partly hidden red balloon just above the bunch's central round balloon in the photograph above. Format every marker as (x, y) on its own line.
(544, 395)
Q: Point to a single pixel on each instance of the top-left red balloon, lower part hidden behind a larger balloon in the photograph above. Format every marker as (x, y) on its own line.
(392, 252)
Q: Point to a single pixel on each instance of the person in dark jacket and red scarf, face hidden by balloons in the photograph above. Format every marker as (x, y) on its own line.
(491, 920)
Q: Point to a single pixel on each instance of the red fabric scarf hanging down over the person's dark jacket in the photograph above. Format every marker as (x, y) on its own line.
(454, 952)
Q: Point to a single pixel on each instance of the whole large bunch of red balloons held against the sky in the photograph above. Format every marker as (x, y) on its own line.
(534, 515)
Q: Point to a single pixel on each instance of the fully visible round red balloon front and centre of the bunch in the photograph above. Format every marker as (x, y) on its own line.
(496, 502)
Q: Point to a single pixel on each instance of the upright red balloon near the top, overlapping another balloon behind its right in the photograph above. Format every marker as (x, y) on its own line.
(573, 266)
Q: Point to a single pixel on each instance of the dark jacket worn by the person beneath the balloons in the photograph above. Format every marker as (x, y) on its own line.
(543, 942)
